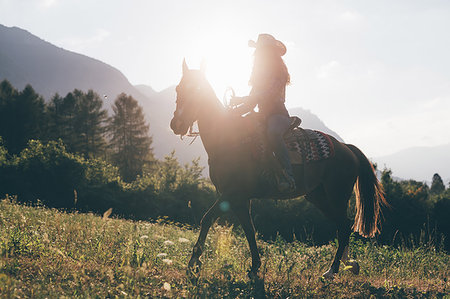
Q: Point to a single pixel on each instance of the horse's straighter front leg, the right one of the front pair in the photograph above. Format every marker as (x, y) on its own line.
(242, 211)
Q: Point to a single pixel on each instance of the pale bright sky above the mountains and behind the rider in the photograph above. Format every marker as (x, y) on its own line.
(376, 72)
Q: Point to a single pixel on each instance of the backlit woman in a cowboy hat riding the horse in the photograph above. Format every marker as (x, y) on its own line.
(268, 80)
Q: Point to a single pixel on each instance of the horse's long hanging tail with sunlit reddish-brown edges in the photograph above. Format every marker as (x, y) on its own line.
(369, 197)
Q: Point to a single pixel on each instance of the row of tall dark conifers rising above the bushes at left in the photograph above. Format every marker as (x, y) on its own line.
(81, 122)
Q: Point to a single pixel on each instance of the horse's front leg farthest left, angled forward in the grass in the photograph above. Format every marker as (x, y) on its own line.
(206, 222)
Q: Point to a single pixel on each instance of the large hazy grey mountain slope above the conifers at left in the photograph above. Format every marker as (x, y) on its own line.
(27, 59)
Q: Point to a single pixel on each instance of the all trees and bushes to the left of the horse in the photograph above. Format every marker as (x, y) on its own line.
(70, 154)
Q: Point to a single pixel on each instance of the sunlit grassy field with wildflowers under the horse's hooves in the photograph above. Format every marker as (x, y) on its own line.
(45, 253)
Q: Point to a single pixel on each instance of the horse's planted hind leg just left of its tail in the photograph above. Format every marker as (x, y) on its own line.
(335, 210)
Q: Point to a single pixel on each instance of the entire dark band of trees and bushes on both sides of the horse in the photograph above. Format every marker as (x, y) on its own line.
(70, 154)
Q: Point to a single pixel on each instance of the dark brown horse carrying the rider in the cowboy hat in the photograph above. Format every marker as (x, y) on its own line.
(328, 184)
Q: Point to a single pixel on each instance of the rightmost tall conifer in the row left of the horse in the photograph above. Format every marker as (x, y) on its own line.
(130, 141)
